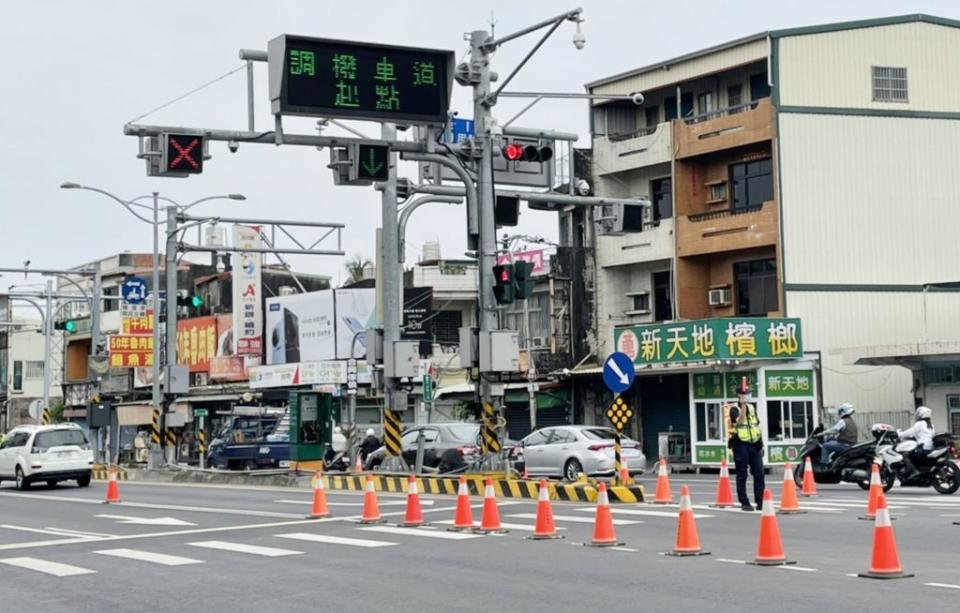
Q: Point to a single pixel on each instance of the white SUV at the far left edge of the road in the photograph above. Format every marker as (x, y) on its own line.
(46, 453)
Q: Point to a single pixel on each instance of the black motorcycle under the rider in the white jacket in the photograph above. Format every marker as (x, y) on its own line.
(936, 467)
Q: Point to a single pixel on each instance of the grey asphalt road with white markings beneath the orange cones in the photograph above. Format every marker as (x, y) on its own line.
(181, 547)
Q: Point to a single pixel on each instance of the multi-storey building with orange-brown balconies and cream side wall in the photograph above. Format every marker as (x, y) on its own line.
(803, 173)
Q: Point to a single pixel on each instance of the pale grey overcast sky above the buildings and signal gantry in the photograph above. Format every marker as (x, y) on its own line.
(74, 72)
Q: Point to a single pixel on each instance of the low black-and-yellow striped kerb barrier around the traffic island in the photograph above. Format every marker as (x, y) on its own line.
(504, 488)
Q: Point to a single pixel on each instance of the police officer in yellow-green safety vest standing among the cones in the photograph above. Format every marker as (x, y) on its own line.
(747, 444)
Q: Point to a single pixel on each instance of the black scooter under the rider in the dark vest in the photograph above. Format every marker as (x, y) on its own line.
(851, 465)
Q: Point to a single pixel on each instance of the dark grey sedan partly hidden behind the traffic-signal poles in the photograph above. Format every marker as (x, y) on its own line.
(446, 447)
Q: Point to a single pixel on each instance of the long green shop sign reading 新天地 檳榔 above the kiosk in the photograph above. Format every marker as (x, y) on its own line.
(711, 339)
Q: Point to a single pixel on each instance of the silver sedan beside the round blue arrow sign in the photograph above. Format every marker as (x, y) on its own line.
(567, 451)
